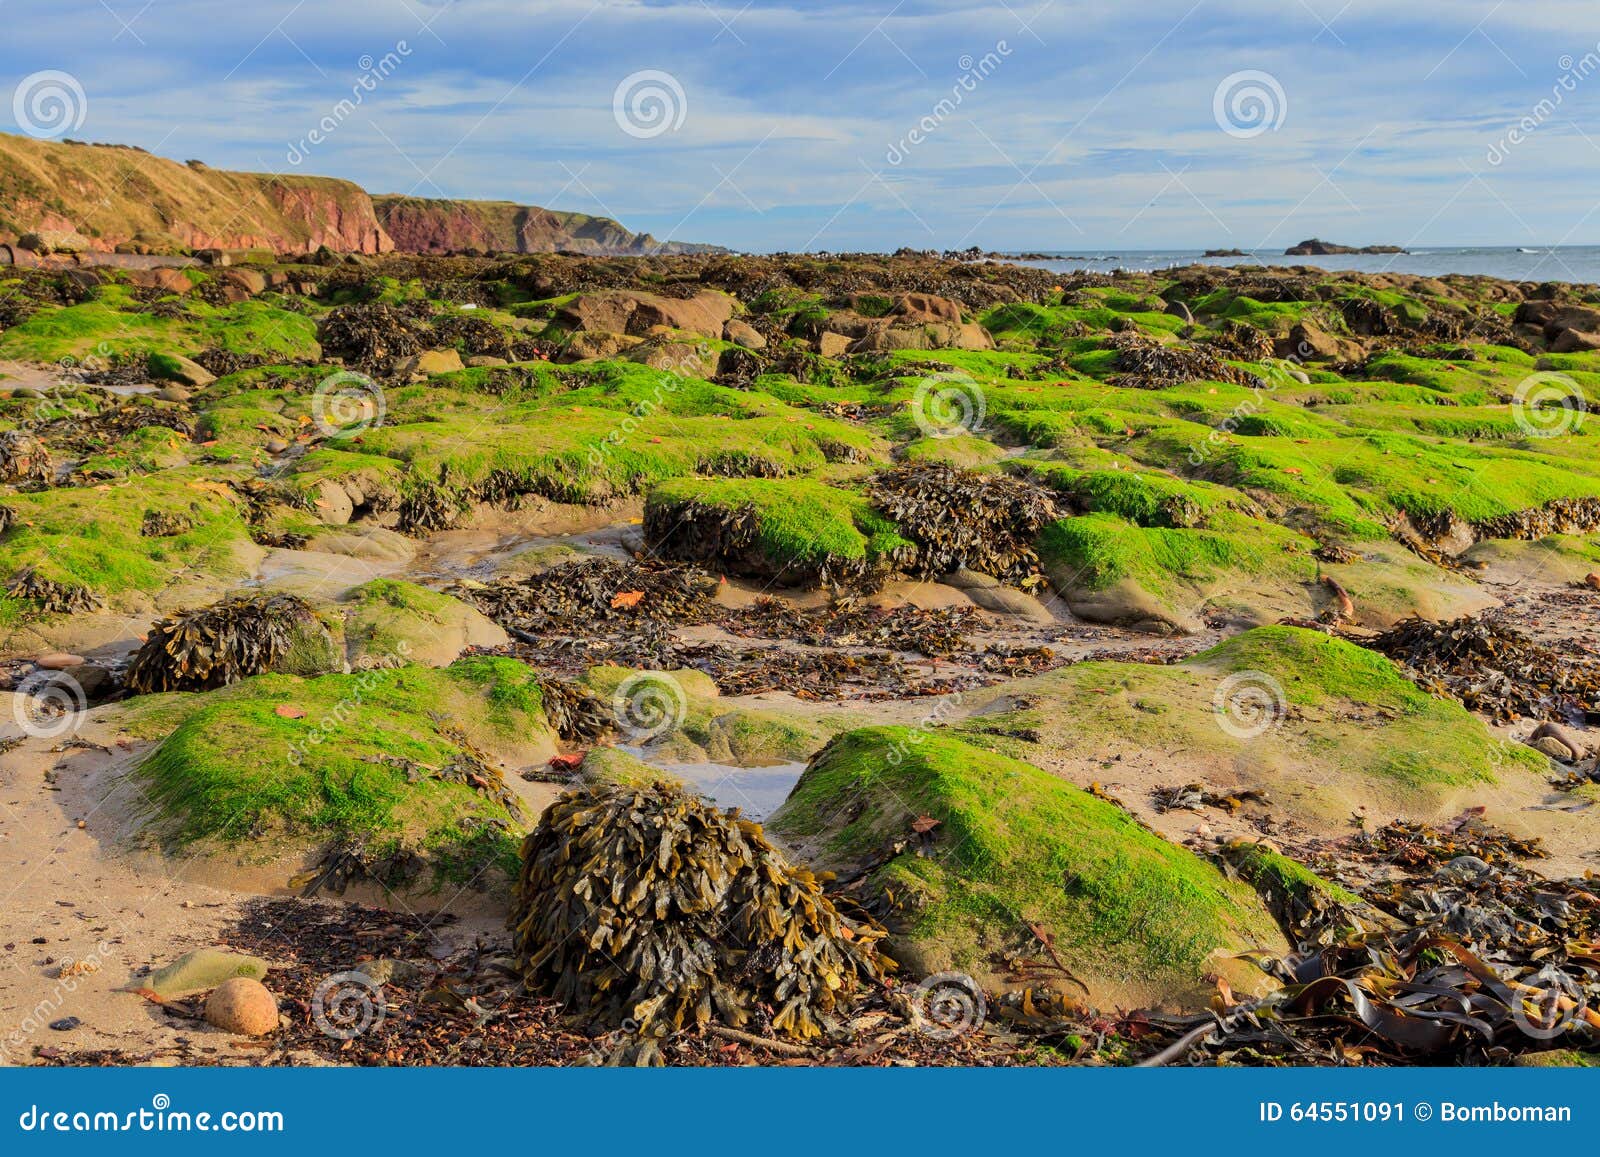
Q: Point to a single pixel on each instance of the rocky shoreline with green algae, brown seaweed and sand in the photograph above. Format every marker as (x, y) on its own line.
(1249, 603)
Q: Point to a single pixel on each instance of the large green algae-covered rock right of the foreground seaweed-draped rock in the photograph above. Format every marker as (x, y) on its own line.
(1010, 849)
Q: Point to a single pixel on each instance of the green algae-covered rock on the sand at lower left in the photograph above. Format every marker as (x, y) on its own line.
(409, 764)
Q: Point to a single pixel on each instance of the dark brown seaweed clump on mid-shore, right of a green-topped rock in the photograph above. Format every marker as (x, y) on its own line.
(967, 521)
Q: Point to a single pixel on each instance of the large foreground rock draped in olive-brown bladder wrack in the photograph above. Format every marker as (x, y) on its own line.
(646, 905)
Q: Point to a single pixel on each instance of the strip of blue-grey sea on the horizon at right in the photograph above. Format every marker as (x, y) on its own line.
(1551, 263)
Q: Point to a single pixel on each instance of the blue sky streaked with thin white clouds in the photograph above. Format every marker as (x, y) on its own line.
(775, 126)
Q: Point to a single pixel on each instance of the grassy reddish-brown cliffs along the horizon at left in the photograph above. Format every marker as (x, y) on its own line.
(106, 198)
